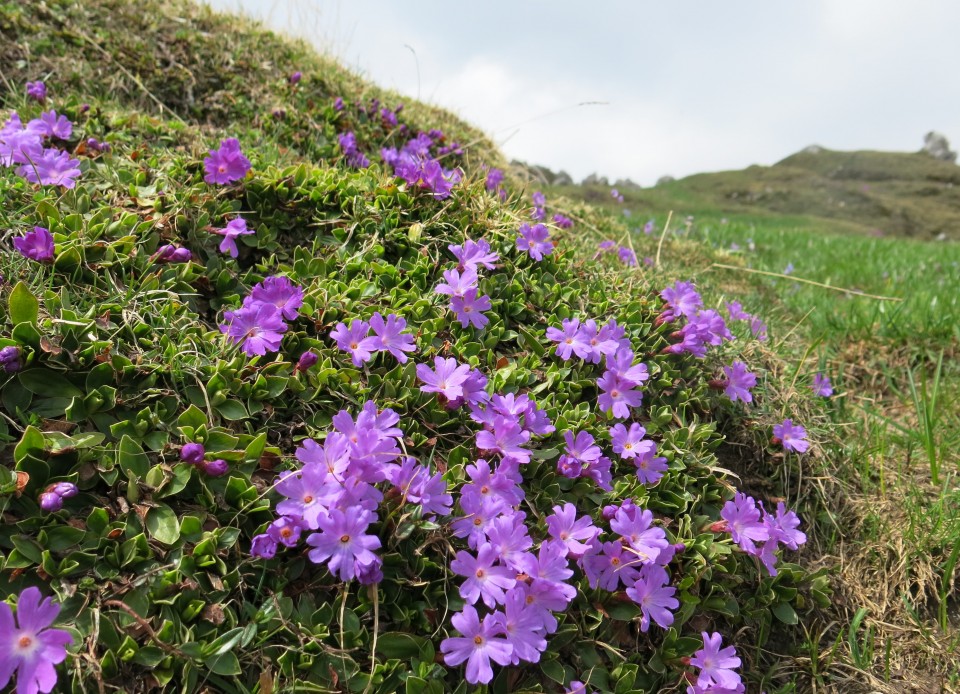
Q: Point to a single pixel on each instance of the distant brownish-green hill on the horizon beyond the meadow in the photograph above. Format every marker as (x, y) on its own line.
(882, 193)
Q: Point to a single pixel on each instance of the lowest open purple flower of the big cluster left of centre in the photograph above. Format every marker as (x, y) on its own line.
(343, 542)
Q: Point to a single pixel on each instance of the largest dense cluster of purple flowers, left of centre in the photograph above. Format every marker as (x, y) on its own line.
(332, 499)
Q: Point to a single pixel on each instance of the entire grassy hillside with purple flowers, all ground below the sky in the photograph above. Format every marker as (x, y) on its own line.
(215, 468)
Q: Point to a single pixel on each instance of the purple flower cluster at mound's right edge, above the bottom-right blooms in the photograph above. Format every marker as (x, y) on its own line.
(757, 532)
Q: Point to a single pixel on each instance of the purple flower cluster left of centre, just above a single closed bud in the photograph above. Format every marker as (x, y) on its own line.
(259, 323)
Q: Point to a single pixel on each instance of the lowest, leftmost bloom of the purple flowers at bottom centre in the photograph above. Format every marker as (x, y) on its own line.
(480, 643)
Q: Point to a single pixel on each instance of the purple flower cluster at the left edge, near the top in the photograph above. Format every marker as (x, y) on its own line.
(25, 146)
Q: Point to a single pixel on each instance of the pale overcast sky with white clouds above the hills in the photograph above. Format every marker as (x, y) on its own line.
(686, 86)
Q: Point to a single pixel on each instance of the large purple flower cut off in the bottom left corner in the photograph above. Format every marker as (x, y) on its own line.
(29, 647)
